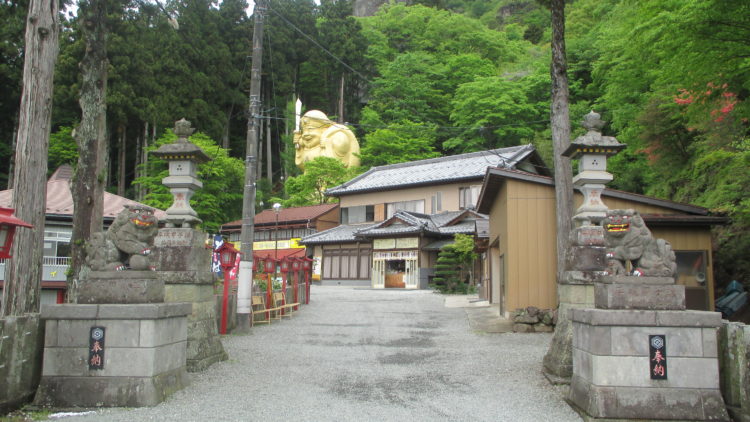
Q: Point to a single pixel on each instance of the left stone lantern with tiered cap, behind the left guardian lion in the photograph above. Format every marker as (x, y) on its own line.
(183, 157)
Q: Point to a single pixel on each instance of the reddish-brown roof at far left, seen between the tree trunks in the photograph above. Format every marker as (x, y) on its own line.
(60, 199)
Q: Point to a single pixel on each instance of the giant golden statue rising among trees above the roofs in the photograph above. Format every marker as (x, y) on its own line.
(317, 136)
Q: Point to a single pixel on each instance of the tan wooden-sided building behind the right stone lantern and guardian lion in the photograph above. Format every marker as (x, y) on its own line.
(519, 266)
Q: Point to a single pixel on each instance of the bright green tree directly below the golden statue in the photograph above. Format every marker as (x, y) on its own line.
(320, 174)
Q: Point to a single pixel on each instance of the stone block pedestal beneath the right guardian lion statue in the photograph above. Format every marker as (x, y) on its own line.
(612, 355)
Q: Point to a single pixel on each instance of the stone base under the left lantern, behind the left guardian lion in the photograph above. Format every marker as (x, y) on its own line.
(184, 266)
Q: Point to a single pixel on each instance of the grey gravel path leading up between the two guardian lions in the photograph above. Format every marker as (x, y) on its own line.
(362, 355)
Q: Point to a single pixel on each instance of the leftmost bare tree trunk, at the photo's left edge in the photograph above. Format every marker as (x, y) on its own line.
(23, 273)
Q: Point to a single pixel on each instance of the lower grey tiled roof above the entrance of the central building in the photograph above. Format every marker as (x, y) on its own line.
(402, 223)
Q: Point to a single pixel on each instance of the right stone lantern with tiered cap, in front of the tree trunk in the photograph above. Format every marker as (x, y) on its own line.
(592, 150)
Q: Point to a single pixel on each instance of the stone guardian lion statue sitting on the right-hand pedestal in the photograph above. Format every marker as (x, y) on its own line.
(632, 250)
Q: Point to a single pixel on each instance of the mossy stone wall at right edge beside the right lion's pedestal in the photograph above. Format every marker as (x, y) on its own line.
(734, 366)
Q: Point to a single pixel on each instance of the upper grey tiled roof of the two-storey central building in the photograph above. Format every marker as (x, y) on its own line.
(433, 171)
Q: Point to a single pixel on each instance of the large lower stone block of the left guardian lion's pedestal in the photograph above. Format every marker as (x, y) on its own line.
(143, 354)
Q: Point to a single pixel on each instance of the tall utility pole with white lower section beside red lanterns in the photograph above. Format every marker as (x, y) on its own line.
(245, 276)
